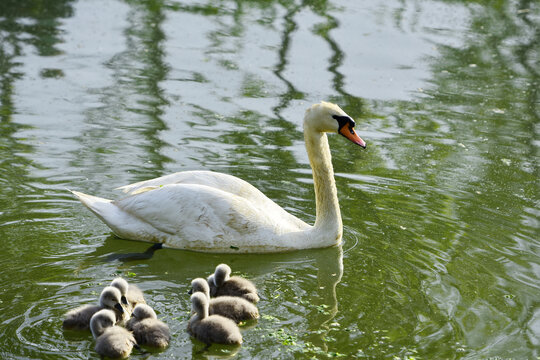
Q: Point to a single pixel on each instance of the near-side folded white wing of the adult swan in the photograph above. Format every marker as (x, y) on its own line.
(198, 214)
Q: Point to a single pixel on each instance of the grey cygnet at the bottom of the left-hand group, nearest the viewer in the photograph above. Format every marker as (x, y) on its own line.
(112, 341)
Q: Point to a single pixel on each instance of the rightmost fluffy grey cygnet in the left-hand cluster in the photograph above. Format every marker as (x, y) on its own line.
(147, 329)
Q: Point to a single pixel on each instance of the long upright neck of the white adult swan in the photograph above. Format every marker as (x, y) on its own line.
(328, 216)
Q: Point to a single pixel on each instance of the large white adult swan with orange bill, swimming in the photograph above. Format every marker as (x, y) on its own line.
(215, 212)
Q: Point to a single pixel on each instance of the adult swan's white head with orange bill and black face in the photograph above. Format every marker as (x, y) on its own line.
(328, 117)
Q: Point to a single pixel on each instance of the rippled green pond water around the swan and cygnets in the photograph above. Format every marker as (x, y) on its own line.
(441, 212)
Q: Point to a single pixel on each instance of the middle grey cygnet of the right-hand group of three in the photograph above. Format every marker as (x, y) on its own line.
(235, 308)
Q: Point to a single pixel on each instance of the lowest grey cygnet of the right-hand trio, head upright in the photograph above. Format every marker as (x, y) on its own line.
(211, 328)
